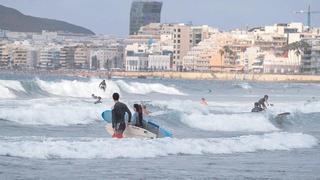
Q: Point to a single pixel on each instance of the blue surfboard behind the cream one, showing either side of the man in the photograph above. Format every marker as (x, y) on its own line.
(147, 125)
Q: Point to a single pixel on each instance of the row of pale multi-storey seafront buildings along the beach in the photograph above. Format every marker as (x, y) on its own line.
(288, 48)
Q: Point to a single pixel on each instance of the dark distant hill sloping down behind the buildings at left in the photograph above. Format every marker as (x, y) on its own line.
(13, 20)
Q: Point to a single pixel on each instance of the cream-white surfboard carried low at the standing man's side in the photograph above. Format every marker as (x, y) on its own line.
(132, 132)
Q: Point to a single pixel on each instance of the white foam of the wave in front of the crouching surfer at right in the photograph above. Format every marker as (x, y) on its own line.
(229, 122)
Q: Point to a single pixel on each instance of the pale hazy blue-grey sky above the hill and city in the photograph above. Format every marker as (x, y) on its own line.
(112, 16)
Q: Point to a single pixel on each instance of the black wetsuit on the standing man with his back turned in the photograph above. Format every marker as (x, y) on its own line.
(118, 116)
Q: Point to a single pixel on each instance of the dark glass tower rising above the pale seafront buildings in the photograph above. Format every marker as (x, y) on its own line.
(143, 13)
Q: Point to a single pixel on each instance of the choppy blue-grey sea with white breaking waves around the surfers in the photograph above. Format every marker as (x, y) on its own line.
(50, 129)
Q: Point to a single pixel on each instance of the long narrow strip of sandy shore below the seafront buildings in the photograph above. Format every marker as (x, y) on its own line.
(174, 75)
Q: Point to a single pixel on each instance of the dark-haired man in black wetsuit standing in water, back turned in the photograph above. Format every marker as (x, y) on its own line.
(118, 116)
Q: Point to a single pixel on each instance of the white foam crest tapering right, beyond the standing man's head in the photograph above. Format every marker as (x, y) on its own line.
(145, 88)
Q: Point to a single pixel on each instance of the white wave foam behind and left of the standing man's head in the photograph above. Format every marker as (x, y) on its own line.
(78, 88)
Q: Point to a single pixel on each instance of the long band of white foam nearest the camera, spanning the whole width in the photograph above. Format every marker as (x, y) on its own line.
(88, 148)
